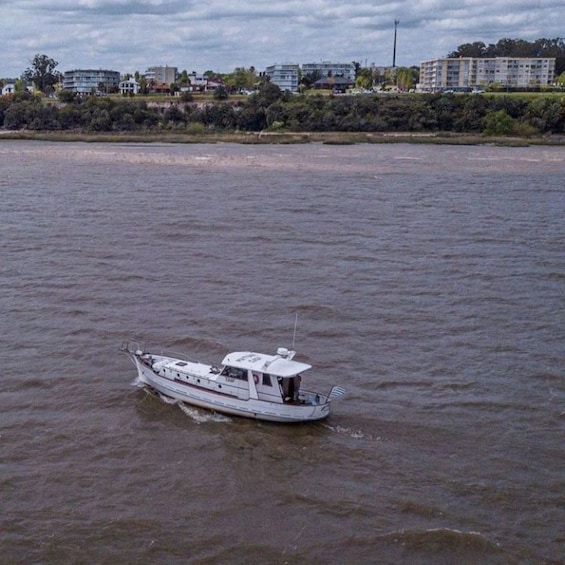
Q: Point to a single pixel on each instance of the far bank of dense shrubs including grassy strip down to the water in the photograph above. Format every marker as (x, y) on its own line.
(270, 116)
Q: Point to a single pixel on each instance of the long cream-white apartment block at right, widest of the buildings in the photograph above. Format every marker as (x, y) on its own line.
(465, 73)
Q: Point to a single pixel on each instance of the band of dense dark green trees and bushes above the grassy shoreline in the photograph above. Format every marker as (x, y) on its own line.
(271, 109)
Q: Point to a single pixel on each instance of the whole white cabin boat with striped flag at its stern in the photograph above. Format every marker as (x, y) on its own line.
(254, 385)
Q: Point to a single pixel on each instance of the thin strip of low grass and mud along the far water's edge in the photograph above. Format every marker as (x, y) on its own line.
(255, 138)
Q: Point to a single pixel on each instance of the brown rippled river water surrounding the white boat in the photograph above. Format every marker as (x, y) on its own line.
(429, 281)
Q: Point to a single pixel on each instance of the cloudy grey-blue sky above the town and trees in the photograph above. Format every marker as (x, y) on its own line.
(221, 35)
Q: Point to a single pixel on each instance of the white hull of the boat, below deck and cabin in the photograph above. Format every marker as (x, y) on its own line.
(227, 404)
